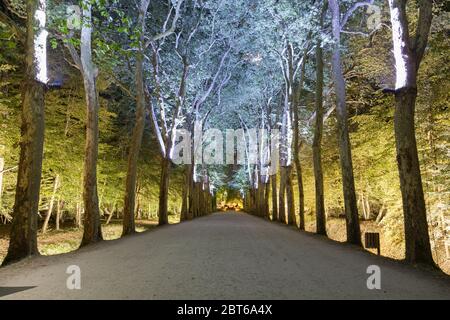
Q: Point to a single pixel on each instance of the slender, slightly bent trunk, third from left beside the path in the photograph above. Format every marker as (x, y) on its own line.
(138, 131)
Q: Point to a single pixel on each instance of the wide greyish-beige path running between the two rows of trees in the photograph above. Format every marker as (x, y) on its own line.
(229, 256)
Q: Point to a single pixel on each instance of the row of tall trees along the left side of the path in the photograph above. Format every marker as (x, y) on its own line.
(118, 32)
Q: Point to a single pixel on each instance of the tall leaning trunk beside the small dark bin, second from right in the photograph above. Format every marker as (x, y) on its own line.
(348, 181)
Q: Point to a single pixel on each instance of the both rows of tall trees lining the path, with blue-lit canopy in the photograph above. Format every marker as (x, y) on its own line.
(196, 65)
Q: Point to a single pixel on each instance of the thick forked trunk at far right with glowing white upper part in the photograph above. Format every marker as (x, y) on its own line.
(408, 54)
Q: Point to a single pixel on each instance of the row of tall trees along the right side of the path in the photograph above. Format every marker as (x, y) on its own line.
(324, 30)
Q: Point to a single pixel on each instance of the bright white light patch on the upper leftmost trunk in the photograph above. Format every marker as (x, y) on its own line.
(40, 43)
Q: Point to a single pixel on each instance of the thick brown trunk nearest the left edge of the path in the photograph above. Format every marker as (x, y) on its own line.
(23, 236)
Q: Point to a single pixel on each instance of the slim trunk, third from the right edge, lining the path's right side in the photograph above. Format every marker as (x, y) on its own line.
(317, 144)
